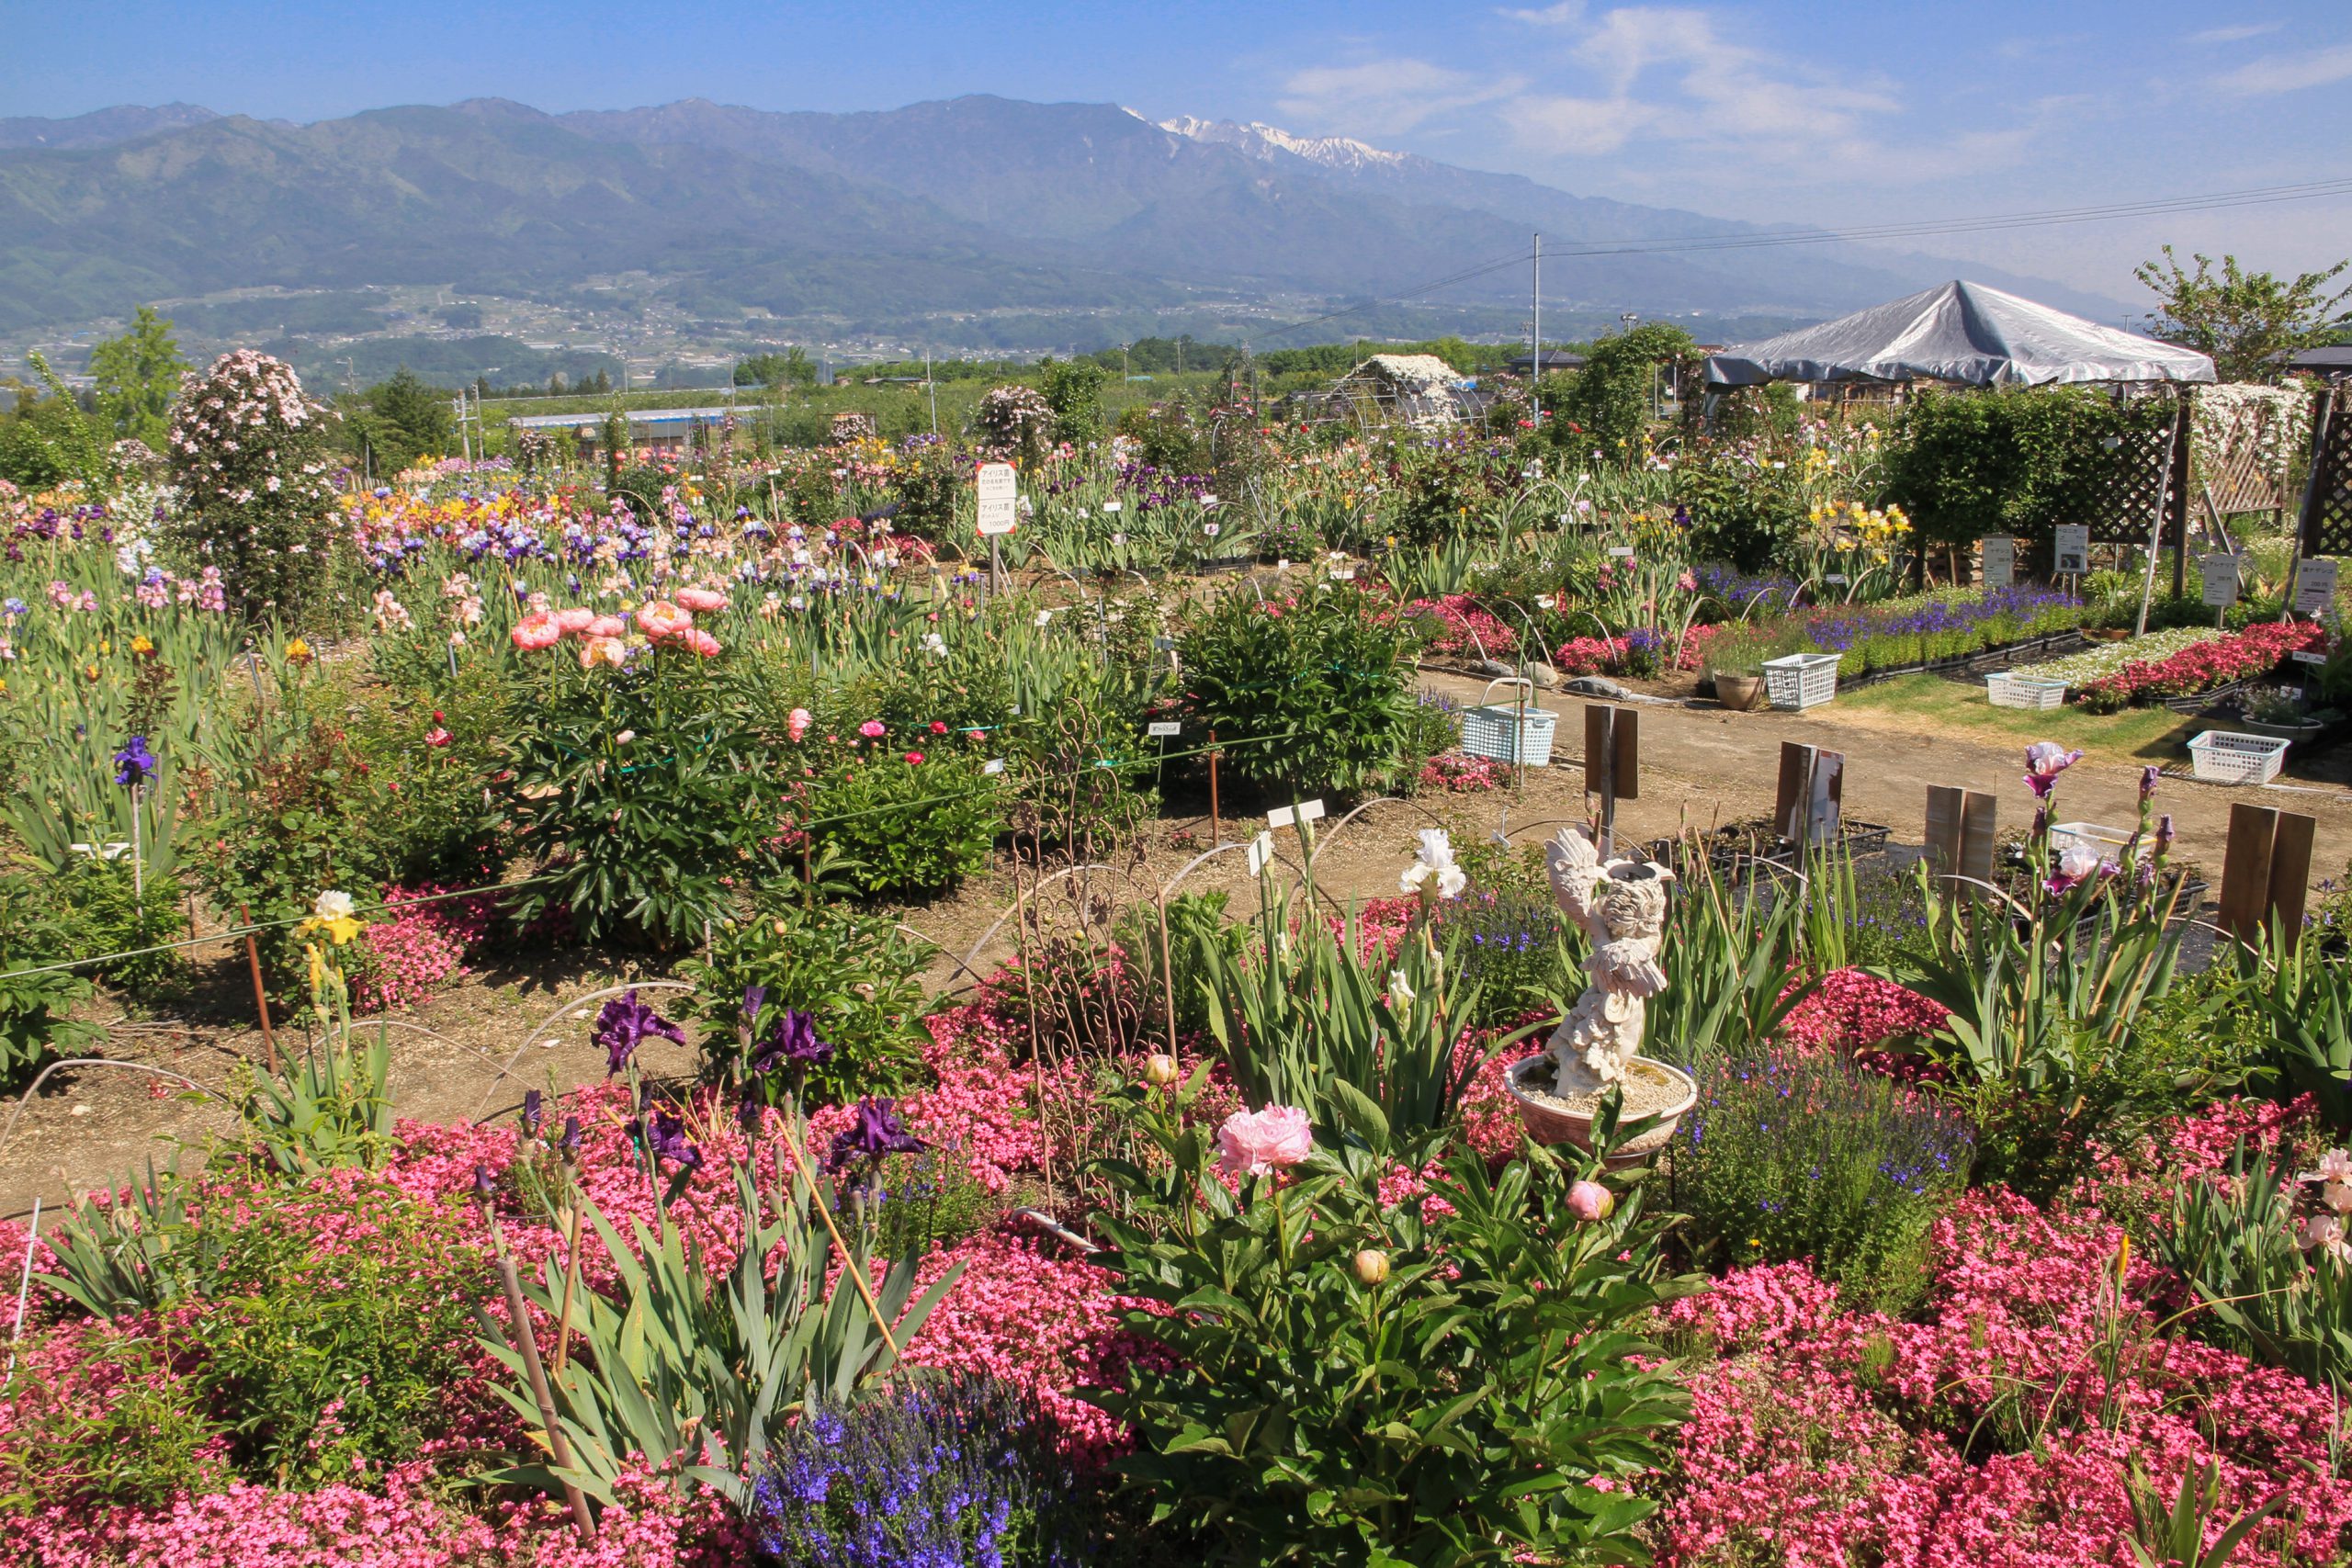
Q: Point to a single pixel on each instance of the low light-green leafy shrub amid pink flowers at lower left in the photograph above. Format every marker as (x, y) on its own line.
(330, 1351)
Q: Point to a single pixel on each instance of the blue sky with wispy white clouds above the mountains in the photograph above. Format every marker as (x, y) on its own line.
(1822, 112)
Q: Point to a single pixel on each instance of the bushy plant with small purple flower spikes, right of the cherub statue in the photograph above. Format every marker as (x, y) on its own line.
(1803, 1155)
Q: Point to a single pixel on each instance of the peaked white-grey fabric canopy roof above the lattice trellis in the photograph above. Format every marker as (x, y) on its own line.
(1958, 333)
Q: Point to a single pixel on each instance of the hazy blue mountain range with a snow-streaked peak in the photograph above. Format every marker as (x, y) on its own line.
(970, 206)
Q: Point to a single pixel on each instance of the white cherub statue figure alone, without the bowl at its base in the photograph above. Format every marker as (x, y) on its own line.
(1622, 906)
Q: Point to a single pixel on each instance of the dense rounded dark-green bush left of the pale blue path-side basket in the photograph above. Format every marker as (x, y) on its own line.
(1307, 697)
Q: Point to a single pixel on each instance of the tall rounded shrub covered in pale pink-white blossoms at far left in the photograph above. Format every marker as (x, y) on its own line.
(250, 462)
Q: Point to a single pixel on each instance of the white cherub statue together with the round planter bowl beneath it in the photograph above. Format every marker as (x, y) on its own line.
(1596, 1050)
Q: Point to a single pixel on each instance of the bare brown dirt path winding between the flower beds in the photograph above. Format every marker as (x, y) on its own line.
(1699, 768)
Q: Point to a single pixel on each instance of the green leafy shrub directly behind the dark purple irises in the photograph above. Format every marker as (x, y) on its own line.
(853, 972)
